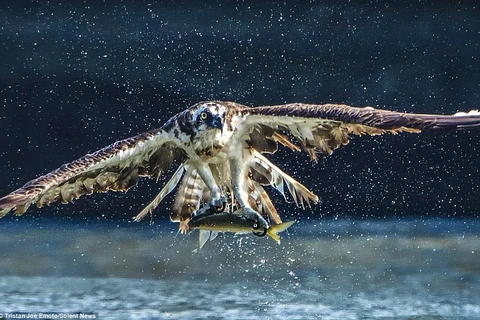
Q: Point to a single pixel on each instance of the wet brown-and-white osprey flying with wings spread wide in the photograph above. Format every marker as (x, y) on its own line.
(219, 149)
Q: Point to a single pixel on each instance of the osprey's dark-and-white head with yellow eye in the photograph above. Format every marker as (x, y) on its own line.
(208, 115)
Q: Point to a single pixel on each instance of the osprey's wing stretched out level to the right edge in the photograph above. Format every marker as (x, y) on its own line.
(320, 129)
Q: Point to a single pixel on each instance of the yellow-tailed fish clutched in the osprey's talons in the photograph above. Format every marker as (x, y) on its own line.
(211, 224)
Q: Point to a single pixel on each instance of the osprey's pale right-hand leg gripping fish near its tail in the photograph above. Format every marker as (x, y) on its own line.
(238, 186)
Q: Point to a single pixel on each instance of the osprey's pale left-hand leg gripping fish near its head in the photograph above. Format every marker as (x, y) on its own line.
(218, 202)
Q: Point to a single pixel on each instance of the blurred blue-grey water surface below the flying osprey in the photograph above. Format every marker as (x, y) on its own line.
(335, 269)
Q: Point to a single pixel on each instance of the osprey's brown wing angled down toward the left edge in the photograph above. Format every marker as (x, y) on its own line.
(116, 167)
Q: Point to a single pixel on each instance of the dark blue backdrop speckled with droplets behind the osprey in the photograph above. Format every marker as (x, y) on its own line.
(76, 77)
